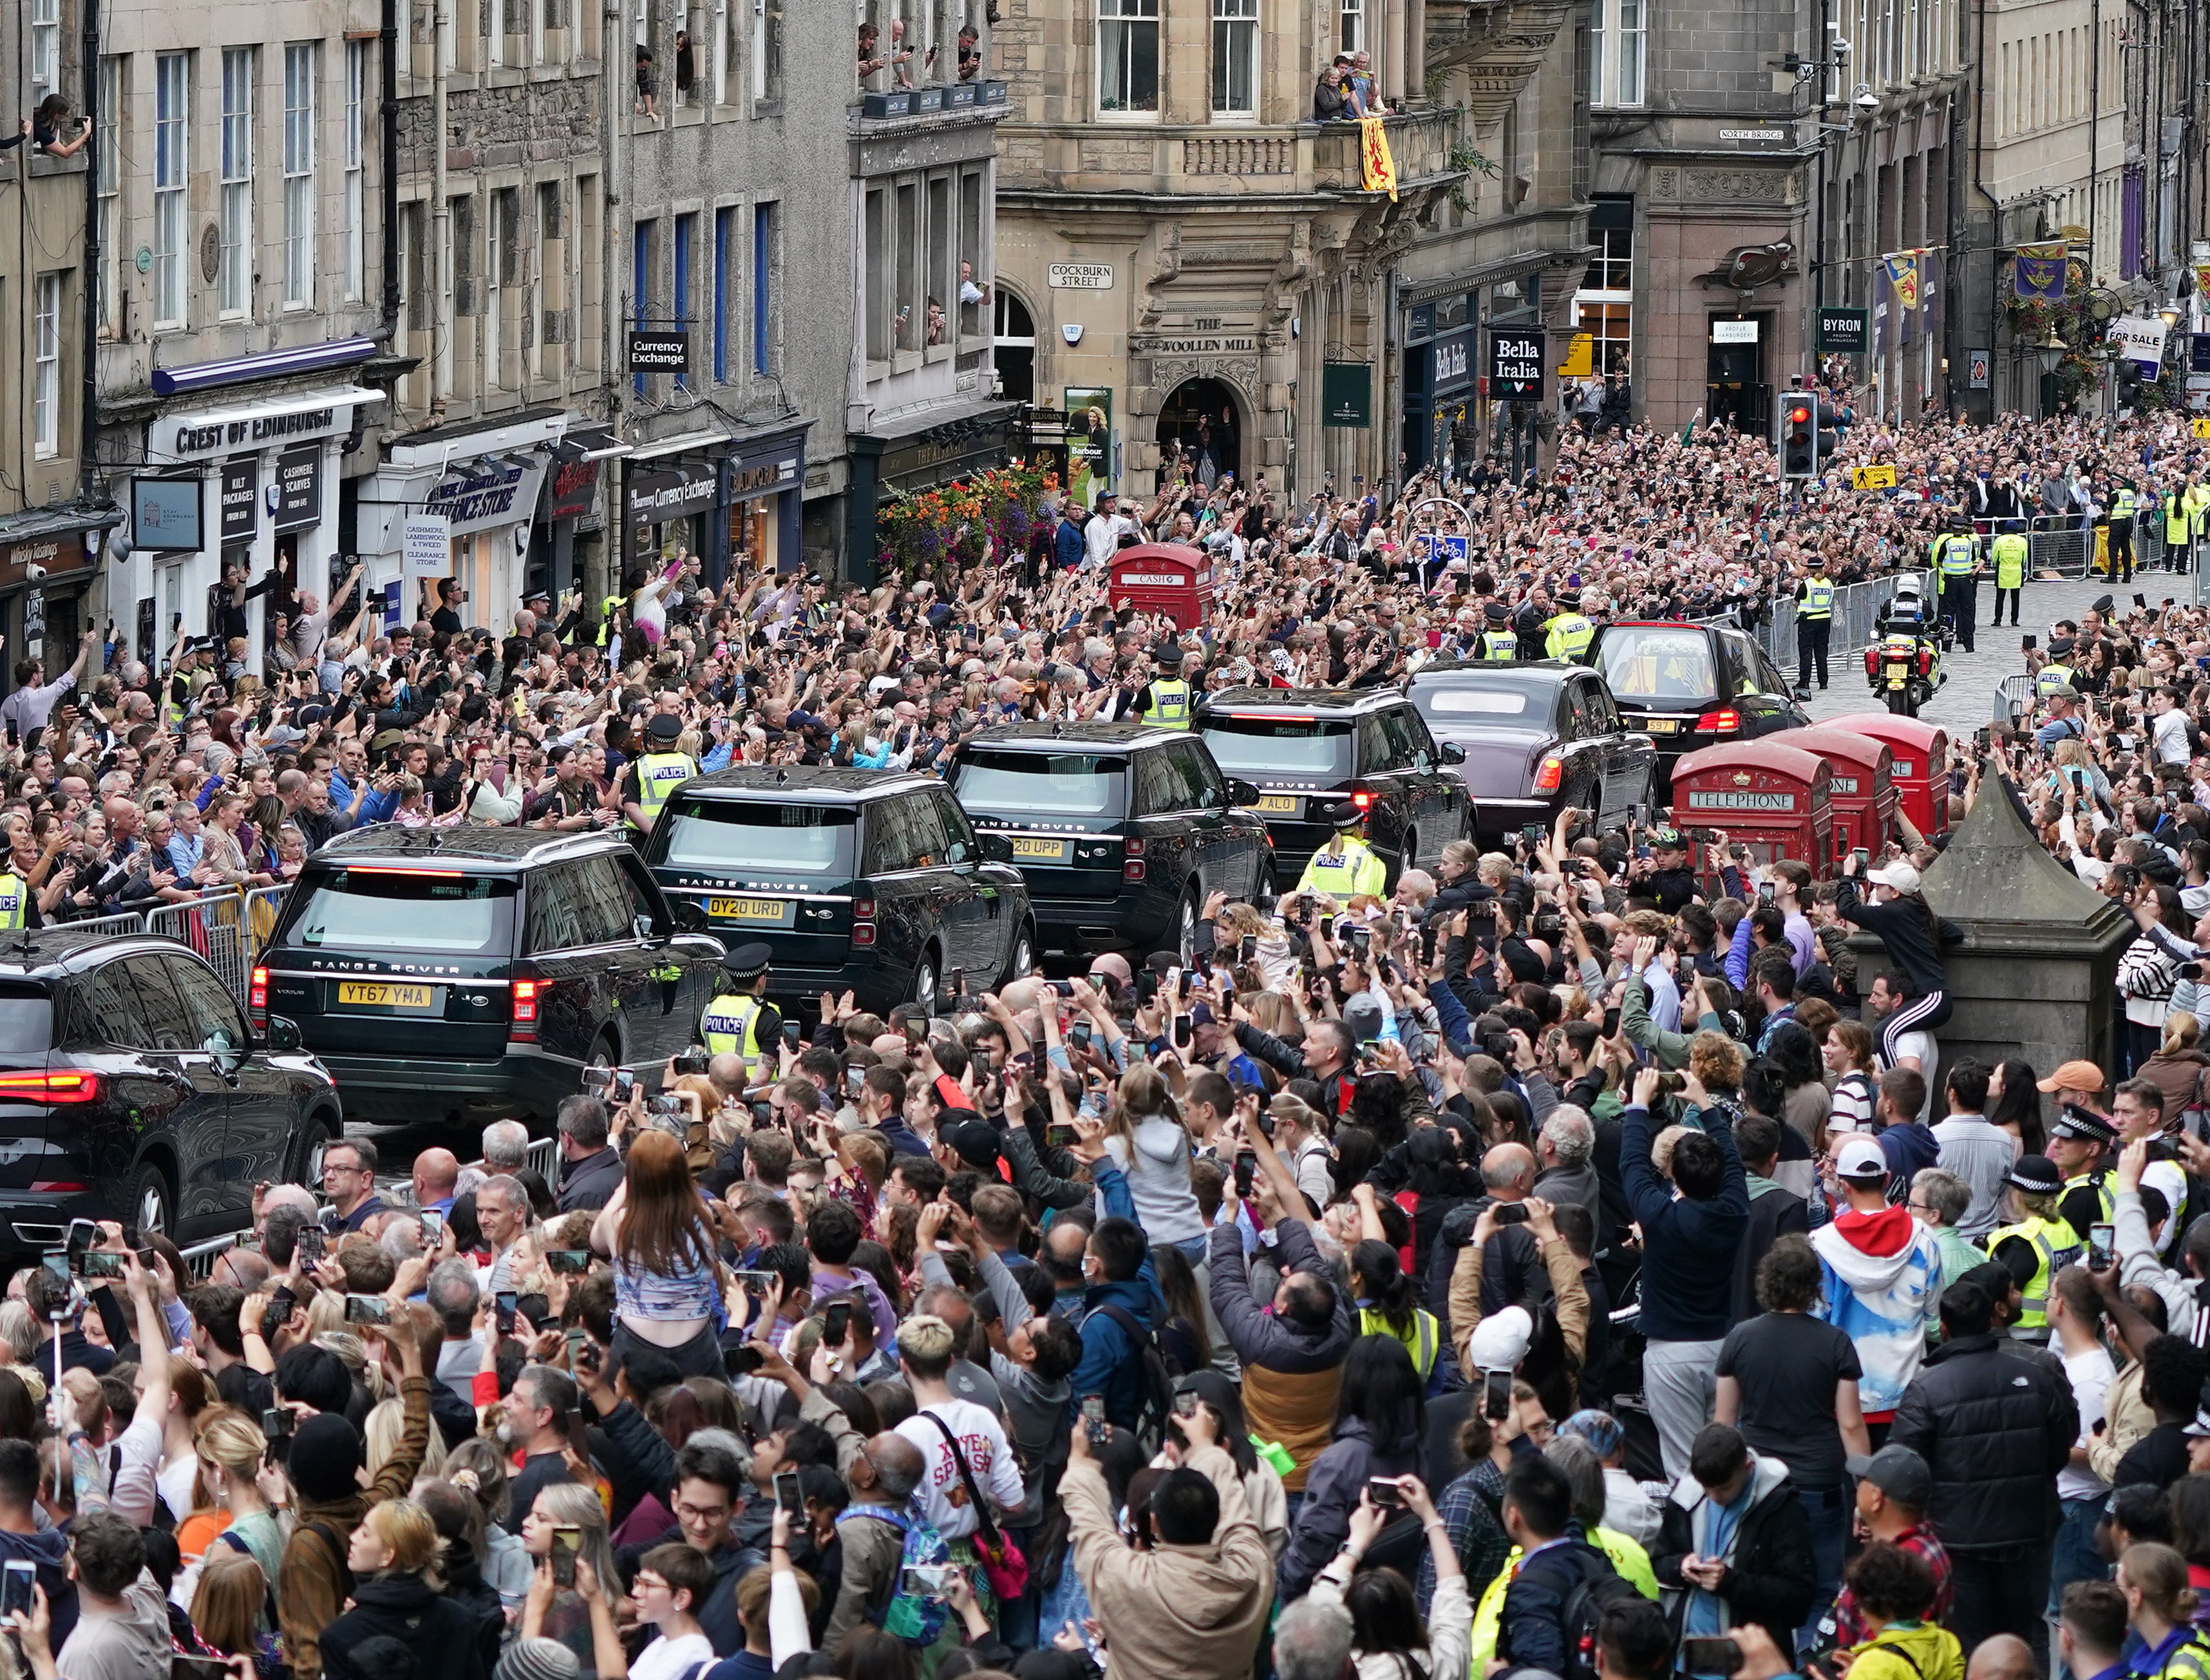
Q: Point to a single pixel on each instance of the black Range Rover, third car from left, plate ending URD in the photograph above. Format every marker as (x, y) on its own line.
(867, 881)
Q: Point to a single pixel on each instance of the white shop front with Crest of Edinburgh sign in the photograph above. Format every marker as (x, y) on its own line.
(251, 485)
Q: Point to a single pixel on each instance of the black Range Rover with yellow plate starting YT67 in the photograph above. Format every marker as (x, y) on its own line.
(472, 974)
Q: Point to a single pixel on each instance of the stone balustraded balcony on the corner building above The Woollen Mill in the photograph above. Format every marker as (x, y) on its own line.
(1230, 160)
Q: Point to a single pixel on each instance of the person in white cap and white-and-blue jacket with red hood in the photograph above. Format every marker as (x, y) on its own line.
(1891, 1268)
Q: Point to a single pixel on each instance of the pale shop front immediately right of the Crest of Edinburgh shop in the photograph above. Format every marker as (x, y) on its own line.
(483, 481)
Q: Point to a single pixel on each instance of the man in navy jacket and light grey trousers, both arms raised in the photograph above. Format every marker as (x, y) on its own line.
(1687, 1261)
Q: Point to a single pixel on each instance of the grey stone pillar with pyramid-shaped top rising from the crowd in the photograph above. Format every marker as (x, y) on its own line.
(2037, 974)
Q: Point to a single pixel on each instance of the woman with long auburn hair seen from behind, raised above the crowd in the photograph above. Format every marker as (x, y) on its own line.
(669, 1277)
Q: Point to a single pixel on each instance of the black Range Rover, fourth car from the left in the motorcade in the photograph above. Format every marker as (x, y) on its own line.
(1119, 828)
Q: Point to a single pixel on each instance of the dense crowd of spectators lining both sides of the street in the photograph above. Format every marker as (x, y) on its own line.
(1579, 1261)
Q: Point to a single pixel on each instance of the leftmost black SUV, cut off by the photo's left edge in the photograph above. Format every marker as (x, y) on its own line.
(134, 1091)
